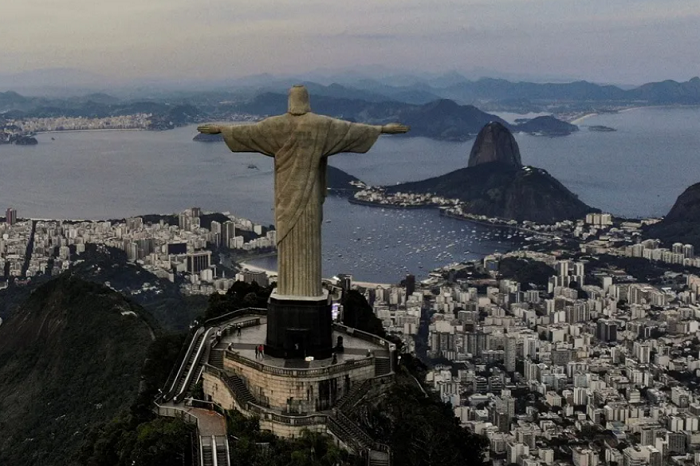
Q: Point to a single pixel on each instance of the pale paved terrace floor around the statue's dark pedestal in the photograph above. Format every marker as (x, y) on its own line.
(252, 336)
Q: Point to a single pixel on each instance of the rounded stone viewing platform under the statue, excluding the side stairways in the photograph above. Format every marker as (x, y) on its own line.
(236, 377)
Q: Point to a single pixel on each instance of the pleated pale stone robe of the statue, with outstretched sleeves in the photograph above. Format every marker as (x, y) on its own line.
(300, 145)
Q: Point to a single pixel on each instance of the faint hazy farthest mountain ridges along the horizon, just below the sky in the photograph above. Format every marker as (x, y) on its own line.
(371, 86)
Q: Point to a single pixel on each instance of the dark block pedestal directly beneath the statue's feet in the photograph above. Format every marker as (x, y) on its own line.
(298, 327)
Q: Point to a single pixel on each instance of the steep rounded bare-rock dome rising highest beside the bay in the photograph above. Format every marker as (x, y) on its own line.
(495, 143)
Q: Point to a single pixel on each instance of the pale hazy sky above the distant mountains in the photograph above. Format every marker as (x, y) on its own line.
(624, 41)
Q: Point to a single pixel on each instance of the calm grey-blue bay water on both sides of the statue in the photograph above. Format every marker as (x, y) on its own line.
(637, 171)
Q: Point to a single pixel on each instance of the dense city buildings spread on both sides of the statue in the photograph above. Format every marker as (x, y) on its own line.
(577, 347)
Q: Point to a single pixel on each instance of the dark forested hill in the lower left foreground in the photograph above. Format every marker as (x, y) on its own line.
(70, 358)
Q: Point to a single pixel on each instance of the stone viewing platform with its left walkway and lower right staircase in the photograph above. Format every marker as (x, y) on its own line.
(287, 395)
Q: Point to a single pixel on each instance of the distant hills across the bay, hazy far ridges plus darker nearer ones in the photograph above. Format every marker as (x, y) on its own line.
(432, 111)
